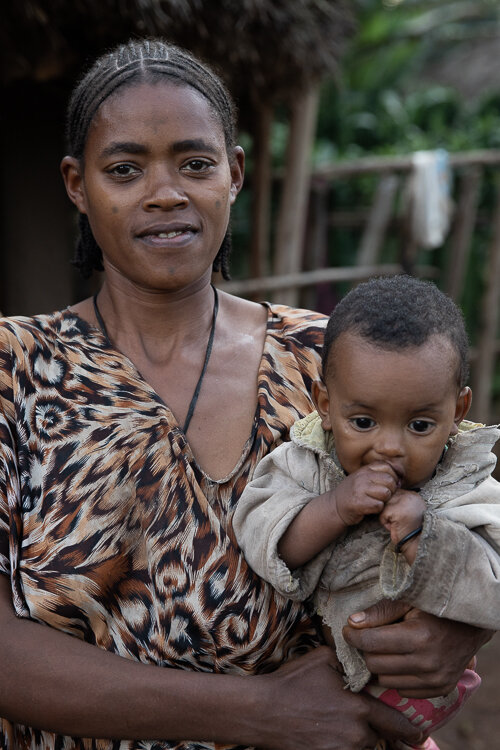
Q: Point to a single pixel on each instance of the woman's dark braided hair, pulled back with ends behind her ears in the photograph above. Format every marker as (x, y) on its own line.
(138, 62)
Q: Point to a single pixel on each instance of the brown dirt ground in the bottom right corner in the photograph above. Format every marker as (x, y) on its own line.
(477, 727)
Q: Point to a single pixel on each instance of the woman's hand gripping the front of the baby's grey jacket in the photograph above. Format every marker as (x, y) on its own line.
(420, 655)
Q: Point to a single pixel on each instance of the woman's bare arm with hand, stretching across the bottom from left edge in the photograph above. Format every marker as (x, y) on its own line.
(54, 681)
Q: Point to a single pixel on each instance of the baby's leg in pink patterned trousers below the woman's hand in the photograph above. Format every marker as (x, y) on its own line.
(428, 713)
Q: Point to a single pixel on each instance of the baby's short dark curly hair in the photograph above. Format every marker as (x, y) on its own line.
(399, 312)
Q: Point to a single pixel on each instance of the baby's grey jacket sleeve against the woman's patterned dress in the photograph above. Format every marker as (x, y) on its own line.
(283, 483)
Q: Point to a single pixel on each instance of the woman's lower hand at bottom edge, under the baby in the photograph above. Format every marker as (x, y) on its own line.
(308, 706)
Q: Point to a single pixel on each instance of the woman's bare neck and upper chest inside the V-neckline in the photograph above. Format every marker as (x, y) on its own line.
(166, 339)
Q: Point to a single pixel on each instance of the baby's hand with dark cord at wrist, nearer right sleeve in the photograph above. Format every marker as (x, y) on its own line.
(402, 514)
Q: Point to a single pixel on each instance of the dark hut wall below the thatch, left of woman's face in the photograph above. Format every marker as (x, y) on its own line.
(36, 227)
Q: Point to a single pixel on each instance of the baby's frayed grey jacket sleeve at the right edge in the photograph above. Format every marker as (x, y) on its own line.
(456, 573)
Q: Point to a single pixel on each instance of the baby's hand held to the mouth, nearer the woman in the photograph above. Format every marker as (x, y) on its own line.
(365, 491)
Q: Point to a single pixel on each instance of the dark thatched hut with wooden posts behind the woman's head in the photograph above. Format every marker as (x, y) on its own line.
(271, 52)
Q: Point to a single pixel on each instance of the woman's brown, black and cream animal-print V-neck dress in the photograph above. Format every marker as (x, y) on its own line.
(111, 532)
